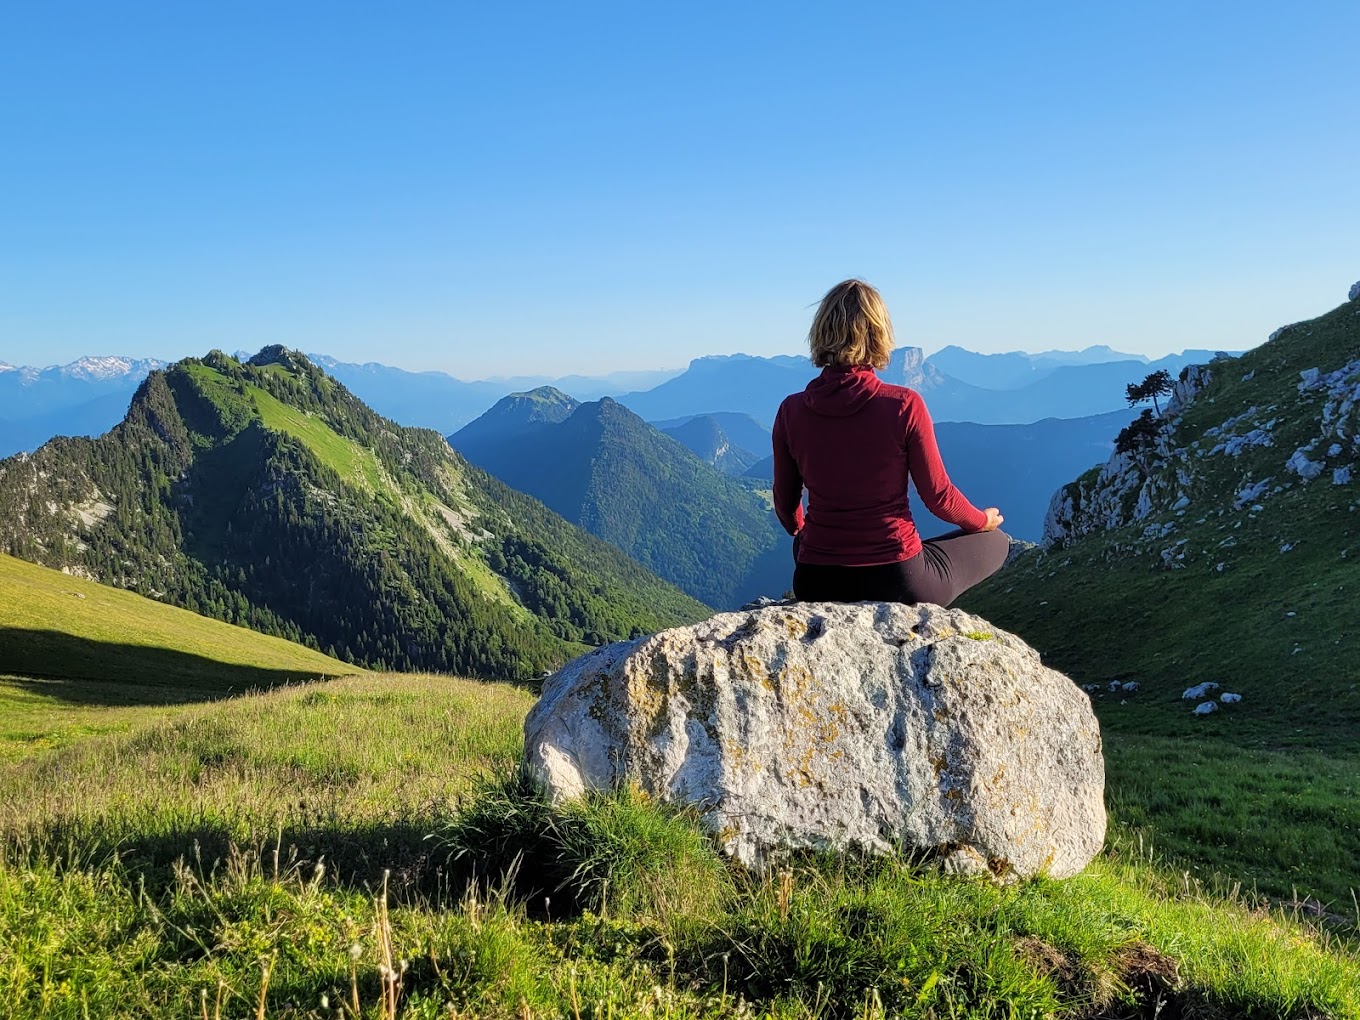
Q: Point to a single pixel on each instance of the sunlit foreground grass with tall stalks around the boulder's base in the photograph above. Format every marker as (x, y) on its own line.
(307, 853)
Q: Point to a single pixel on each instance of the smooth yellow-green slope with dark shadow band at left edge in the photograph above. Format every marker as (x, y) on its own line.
(71, 652)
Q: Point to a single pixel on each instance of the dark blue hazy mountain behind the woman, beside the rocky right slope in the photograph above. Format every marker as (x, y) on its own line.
(1014, 467)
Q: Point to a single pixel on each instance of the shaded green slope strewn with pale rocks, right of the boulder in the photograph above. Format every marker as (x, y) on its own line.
(1206, 557)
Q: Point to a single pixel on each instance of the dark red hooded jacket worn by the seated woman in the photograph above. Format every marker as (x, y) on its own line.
(852, 441)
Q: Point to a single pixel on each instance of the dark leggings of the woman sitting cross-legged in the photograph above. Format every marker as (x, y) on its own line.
(943, 571)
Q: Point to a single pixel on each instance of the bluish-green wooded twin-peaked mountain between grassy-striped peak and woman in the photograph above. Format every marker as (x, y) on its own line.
(625, 482)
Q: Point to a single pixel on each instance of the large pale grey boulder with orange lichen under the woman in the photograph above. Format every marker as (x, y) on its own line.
(829, 726)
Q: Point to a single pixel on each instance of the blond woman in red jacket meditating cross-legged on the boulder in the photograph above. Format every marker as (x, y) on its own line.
(852, 441)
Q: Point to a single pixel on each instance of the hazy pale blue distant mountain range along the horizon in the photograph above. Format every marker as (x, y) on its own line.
(89, 396)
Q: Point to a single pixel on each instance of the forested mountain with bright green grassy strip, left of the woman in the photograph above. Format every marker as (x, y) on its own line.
(266, 494)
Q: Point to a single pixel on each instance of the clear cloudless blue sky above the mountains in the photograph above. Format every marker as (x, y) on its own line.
(554, 188)
